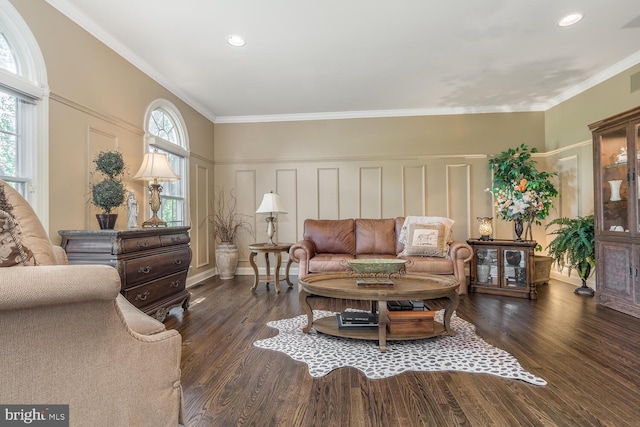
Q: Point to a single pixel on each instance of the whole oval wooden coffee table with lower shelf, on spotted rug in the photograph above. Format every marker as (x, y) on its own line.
(409, 287)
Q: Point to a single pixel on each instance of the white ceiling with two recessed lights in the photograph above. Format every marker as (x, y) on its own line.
(309, 59)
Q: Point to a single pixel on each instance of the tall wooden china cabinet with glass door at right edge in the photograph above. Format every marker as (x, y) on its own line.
(616, 157)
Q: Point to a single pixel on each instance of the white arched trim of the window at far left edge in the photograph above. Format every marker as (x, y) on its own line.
(33, 84)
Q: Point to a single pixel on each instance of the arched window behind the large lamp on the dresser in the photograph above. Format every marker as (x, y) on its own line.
(167, 133)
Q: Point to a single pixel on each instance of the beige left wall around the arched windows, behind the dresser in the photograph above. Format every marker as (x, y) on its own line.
(98, 101)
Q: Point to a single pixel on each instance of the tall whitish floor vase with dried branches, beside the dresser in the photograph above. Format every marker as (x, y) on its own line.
(225, 225)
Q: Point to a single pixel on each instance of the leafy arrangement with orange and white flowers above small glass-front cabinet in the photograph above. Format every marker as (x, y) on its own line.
(521, 192)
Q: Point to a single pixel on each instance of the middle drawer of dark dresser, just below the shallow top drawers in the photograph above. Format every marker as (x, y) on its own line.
(147, 268)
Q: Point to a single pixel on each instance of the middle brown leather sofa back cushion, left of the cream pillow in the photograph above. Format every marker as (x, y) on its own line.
(375, 236)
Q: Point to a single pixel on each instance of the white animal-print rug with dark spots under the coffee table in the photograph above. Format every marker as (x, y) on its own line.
(323, 353)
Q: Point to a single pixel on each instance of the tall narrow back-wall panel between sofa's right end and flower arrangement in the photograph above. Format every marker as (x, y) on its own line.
(458, 199)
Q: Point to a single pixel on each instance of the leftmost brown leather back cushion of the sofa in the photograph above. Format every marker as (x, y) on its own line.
(334, 236)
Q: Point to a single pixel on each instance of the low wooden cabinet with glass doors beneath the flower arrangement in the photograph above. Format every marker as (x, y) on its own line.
(503, 267)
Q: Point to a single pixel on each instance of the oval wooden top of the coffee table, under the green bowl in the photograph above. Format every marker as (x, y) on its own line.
(344, 285)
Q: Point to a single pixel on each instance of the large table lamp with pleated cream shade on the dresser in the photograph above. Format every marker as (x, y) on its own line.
(155, 166)
